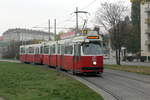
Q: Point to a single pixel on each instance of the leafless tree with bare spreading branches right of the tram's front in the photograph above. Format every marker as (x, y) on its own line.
(111, 15)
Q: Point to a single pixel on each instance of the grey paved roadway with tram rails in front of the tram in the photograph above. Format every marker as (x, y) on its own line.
(123, 85)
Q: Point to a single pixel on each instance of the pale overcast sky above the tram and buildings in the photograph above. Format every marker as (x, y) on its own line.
(30, 13)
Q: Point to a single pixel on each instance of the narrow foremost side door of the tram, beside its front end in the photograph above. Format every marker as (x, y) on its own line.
(77, 54)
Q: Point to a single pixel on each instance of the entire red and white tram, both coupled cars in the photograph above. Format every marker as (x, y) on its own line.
(82, 54)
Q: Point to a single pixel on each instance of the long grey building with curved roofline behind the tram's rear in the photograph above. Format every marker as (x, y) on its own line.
(26, 35)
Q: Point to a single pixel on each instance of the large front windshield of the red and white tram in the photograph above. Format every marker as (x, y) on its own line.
(92, 48)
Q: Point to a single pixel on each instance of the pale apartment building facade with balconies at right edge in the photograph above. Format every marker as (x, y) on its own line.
(145, 29)
